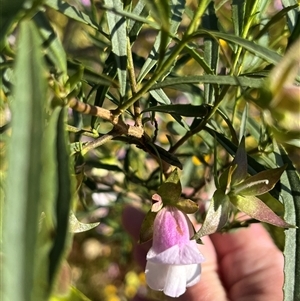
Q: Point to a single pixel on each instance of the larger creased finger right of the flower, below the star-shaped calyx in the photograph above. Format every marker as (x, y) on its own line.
(251, 266)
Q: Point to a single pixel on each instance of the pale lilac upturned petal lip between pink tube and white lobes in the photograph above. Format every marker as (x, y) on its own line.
(179, 255)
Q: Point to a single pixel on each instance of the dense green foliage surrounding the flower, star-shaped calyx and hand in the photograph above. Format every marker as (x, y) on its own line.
(100, 100)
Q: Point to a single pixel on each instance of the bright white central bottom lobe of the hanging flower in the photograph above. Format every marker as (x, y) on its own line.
(176, 281)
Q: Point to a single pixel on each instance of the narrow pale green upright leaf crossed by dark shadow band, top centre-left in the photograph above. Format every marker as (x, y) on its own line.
(118, 33)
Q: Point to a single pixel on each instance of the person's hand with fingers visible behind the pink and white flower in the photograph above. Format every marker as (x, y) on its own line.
(244, 265)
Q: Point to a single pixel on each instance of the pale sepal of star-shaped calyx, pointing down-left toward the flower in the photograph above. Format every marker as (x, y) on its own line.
(217, 215)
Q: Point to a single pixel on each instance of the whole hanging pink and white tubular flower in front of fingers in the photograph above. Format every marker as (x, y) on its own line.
(173, 262)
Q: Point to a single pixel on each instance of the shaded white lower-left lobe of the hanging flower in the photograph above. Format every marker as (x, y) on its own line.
(156, 275)
